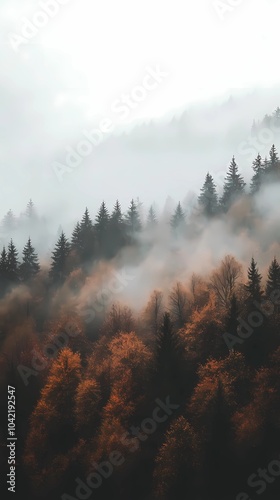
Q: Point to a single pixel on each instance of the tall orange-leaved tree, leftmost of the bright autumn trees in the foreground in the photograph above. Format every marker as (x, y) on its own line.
(52, 424)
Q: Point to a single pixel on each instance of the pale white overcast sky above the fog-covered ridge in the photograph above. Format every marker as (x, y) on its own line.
(66, 66)
